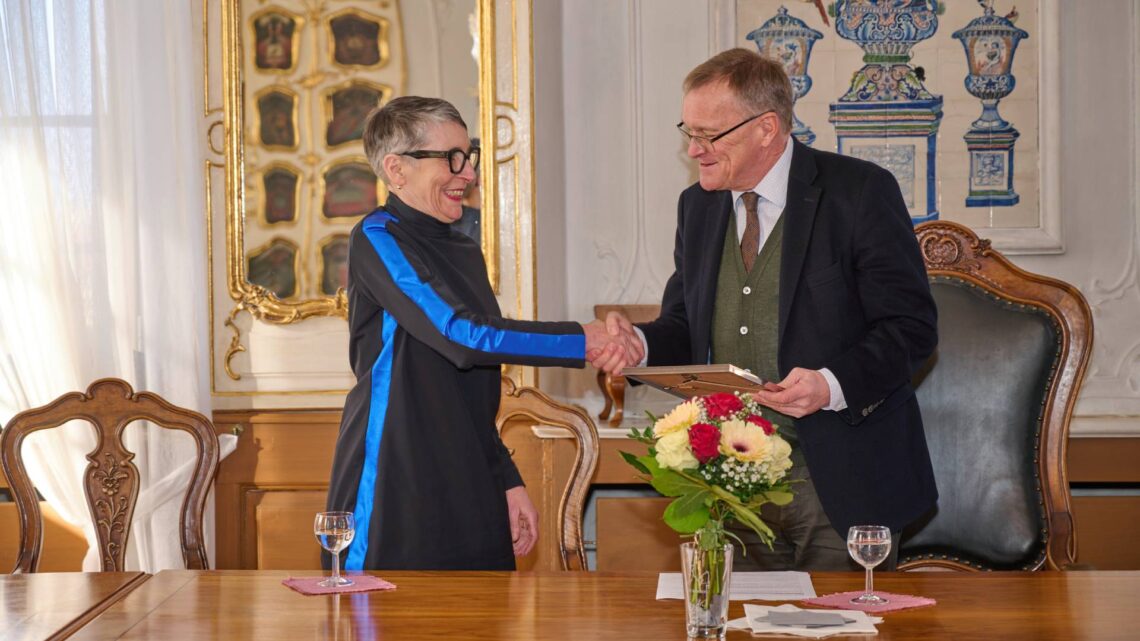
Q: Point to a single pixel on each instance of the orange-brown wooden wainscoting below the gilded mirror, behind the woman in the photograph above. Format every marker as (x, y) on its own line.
(271, 488)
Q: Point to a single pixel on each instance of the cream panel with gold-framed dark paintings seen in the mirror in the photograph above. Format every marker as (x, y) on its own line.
(311, 78)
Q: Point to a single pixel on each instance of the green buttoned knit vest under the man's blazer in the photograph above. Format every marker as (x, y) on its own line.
(746, 323)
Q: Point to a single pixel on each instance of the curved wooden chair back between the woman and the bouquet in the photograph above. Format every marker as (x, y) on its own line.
(533, 404)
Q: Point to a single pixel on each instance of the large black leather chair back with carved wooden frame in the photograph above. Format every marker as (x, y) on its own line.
(997, 400)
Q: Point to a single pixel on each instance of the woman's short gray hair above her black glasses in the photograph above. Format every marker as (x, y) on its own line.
(402, 126)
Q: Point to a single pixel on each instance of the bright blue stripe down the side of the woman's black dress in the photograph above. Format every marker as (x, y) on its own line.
(378, 412)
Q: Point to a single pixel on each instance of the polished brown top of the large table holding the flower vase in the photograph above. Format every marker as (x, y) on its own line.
(587, 606)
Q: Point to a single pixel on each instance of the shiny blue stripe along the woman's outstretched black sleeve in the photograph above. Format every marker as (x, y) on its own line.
(474, 336)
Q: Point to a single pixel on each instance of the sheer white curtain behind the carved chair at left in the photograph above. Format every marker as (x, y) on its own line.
(103, 236)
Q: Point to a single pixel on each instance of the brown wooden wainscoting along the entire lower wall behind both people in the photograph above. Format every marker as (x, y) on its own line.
(272, 486)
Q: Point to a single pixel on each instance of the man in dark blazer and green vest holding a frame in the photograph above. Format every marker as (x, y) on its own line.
(827, 295)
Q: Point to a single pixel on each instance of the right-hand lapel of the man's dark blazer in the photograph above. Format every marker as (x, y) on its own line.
(800, 218)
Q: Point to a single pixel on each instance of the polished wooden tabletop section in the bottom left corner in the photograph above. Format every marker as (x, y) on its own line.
(54, 605)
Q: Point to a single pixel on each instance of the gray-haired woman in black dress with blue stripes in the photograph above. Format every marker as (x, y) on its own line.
(419, 460)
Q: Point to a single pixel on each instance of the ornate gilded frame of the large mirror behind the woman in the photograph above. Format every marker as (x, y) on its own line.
(259, 302)
